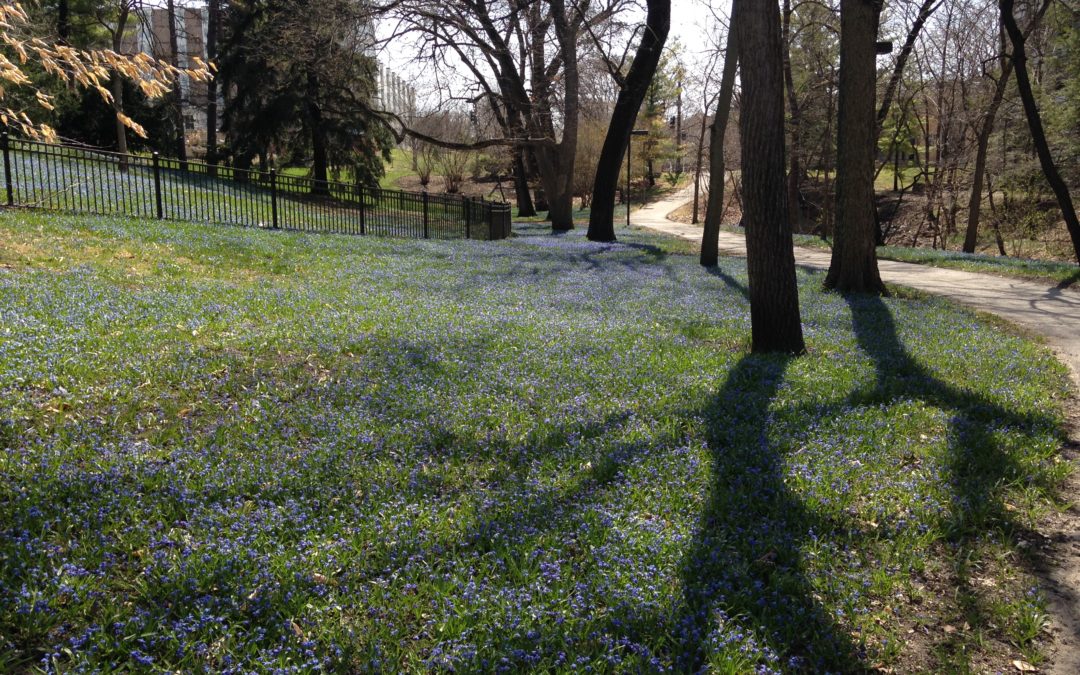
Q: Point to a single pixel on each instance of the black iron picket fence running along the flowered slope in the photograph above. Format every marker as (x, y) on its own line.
(83, 181)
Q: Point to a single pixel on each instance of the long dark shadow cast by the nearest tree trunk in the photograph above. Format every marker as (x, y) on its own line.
(746, 562)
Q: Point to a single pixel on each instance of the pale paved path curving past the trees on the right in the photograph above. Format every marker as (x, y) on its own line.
(1052, 313)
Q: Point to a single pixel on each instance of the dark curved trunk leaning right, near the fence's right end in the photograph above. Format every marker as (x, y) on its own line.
(646, 59)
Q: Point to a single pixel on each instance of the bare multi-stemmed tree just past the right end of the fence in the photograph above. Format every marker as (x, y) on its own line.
(520, 59)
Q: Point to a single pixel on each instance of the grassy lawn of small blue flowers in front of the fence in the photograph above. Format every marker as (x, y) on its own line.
(236, 451)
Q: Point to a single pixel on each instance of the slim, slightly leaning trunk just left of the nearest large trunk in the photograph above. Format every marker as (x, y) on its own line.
(714, 208)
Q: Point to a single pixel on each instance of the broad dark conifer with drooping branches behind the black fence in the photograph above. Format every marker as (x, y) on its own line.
(302, 86)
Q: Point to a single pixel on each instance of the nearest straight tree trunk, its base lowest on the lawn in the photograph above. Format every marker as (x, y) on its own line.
(771, 260)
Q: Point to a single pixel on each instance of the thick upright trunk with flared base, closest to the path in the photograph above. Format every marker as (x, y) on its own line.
(854, 267)
